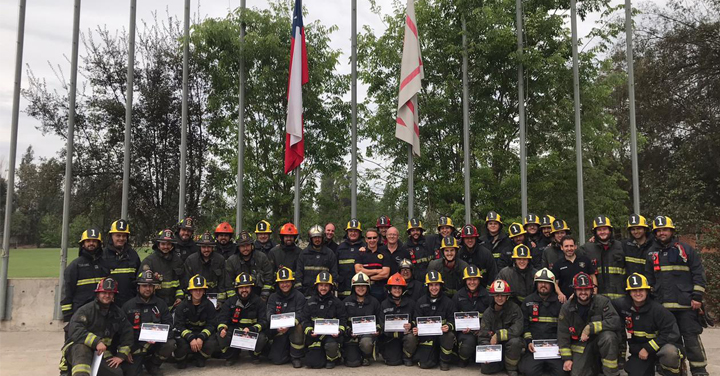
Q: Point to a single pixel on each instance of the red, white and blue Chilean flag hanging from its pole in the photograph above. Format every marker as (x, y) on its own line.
(294, 140)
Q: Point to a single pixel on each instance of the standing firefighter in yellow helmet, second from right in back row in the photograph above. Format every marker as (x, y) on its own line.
(638, 246)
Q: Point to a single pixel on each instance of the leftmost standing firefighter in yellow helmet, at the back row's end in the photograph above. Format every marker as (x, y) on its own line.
(83, 274)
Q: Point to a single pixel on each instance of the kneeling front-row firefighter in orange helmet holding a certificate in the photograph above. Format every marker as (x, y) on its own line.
(398, 347)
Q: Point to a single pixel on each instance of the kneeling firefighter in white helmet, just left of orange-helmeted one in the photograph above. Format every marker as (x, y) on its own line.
(359, 349)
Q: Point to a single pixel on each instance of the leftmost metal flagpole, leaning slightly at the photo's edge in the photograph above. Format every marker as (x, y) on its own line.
(13, 151)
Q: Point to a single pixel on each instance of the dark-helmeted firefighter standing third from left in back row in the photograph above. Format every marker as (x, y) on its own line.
(167, 267)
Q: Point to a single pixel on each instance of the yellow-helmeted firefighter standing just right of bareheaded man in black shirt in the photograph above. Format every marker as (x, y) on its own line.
(607, 256)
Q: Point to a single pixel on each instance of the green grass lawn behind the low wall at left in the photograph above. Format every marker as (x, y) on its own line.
(42, 262)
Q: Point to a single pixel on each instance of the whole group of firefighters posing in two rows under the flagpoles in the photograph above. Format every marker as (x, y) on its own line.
(608, 304)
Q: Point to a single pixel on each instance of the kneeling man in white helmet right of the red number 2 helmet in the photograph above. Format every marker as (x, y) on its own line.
(540, 312)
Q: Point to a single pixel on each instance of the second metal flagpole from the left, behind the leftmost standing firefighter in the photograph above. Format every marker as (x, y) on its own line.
(69, 148)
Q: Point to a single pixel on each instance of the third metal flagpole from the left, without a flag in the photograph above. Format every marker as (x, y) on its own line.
(128, 109)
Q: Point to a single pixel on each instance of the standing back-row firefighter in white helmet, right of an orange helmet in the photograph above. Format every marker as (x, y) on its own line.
(314, 259)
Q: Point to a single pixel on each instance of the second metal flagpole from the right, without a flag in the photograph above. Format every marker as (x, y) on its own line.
(578, 131)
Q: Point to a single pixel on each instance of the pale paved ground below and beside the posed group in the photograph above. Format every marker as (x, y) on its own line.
(38, 353)
